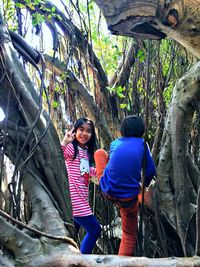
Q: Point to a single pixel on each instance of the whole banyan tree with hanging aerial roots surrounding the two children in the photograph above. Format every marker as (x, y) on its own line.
(41, 94)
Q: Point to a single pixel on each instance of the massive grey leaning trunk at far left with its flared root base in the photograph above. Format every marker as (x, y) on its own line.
(33, 146)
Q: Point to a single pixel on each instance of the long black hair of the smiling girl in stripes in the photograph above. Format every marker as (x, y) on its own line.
(91, 144)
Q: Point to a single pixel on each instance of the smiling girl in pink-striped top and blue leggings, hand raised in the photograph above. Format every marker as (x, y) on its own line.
(78, 147)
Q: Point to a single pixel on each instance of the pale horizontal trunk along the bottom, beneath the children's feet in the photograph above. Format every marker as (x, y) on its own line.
(112, 261)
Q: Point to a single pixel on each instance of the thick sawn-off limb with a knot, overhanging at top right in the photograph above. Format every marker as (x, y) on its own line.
(155, 19)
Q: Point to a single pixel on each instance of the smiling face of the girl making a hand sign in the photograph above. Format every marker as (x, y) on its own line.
(83, 134)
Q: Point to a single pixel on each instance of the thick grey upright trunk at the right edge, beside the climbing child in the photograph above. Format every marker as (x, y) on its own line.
(175, 178)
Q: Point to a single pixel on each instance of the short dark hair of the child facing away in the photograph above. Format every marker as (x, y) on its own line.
(132, 126)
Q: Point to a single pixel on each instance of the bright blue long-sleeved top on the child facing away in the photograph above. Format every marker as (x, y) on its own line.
(122, 175)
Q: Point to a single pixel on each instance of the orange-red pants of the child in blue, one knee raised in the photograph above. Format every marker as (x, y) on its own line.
(128, 215)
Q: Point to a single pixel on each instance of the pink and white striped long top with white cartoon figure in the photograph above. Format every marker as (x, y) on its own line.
(79, 173)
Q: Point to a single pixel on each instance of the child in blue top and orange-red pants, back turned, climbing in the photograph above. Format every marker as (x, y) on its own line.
(119, 176)
